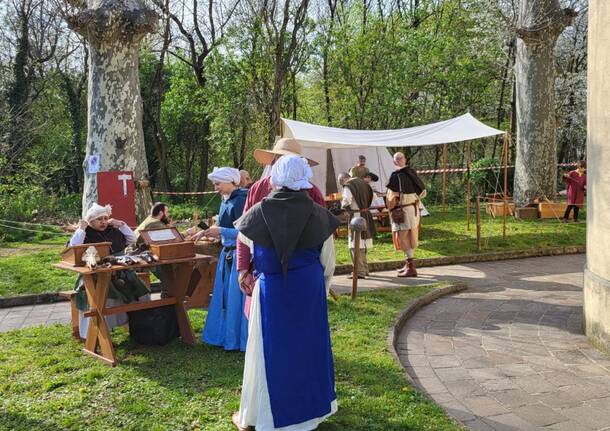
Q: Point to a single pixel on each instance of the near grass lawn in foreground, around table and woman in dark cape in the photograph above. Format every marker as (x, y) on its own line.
(47, 384)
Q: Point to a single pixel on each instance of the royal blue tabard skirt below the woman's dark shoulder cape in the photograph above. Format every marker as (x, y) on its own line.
(296, 336)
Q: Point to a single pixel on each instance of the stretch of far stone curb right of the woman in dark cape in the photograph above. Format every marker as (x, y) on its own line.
(391, 265)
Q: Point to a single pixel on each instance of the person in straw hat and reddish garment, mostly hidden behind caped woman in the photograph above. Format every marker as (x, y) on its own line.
(261, 188)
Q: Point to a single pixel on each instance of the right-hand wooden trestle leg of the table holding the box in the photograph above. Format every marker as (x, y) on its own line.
(178, 276)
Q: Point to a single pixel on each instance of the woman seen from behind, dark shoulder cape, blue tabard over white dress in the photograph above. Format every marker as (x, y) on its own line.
(288, 374)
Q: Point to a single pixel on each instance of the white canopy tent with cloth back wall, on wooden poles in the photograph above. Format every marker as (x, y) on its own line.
(346, 145)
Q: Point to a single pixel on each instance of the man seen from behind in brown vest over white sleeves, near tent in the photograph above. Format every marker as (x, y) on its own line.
(357, 199)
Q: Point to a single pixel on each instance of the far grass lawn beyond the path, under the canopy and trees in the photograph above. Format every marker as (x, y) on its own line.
(26, 267)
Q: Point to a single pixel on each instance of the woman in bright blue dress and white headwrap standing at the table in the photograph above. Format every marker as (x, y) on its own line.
(226, 324)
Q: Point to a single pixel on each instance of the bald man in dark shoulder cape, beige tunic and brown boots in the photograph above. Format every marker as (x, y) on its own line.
(405, 189)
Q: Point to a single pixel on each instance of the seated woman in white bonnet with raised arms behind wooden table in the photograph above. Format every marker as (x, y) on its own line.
(126, 286)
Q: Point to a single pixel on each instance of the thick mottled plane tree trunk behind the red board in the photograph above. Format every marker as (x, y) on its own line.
(114, 29)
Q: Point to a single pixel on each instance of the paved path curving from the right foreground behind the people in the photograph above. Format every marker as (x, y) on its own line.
(506, 354)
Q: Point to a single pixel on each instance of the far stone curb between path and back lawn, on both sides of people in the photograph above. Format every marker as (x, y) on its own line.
(47, 298)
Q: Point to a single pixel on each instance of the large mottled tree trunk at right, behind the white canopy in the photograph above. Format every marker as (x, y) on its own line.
(540, 24)
